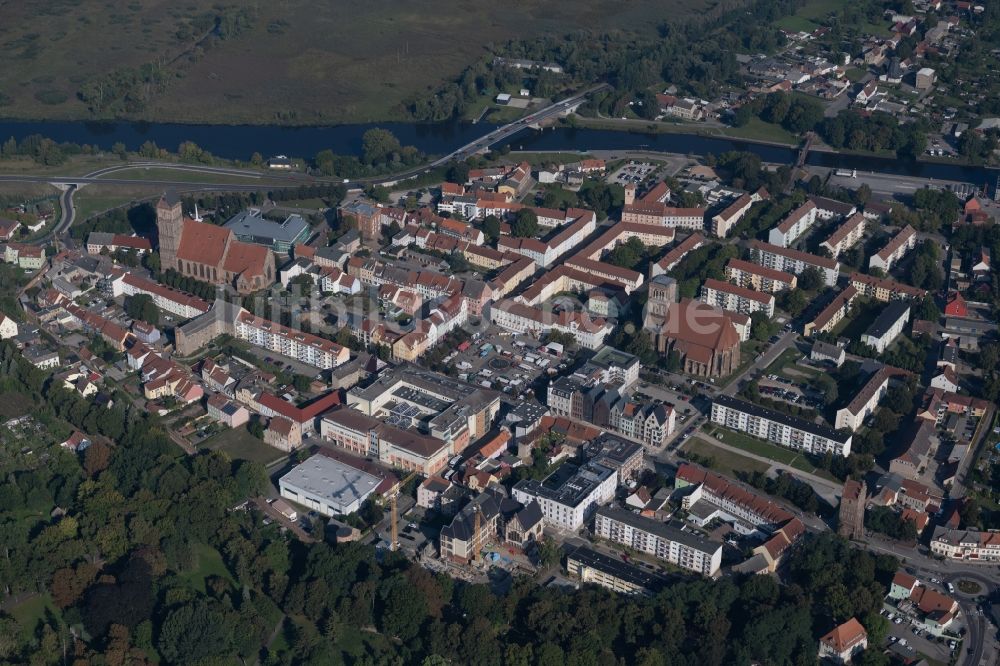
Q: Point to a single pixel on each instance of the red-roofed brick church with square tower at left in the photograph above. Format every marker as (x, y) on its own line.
(209, 253)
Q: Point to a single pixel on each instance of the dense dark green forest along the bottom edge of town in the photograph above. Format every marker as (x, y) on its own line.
(151, 557)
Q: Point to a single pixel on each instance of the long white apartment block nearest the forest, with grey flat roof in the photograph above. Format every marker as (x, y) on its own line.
(678, 547)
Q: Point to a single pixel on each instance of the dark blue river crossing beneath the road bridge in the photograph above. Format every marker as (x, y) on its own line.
(241, 141)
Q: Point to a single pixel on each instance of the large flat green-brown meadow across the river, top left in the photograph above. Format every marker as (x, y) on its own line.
(292, 61)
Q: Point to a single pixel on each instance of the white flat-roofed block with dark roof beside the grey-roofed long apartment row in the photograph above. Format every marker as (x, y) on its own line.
(570, 495)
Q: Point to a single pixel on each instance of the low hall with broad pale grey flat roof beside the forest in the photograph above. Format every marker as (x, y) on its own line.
(328, 486)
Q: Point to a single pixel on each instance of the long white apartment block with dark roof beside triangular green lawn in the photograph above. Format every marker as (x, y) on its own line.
(788, 431)
